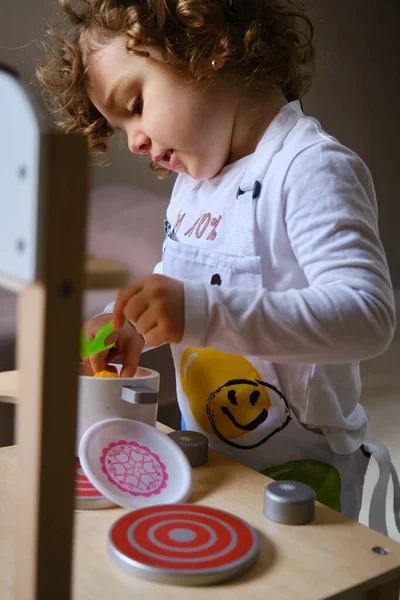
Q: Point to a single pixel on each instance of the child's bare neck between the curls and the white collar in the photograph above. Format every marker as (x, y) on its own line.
(252, 119)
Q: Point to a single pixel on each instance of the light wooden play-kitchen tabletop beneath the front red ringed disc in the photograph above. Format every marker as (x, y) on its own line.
(329, 558)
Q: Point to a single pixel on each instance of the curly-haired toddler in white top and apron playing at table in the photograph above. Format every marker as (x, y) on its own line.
(273, 282)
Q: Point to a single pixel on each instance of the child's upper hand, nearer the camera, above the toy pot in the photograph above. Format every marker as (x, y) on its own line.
(155, 304)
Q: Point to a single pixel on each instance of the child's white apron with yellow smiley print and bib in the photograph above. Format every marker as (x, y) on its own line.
(238, 402)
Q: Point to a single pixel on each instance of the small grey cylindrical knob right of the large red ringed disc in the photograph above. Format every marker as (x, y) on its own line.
(289, 502)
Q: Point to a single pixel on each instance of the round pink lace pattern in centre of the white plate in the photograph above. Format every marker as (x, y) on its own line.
(133, 468)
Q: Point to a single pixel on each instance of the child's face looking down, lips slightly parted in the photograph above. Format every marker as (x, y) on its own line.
(161, 111)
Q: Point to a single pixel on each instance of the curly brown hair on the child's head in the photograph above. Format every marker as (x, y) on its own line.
(262, 42)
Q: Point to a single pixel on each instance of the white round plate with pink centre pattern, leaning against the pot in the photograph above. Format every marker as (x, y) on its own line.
(135, 465)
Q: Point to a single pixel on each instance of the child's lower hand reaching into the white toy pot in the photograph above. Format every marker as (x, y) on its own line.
(129, 344)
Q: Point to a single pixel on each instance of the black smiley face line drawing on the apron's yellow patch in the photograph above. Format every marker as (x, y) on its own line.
(253, 424)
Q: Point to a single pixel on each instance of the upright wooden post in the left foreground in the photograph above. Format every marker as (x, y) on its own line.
(49, 316)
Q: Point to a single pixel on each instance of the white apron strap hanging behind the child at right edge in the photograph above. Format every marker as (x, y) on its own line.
(377, 509)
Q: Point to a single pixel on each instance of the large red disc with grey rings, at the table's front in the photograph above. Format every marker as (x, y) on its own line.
(183, 544)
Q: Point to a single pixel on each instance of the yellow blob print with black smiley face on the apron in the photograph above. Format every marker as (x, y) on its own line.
(226, 395)
